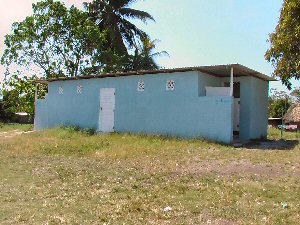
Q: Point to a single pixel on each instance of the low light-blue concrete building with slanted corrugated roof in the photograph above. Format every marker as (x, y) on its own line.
(213, 102)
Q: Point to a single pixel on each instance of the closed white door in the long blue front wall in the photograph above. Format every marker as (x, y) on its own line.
(107, 110)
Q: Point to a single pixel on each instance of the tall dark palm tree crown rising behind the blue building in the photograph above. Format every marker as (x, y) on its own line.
(112, 16)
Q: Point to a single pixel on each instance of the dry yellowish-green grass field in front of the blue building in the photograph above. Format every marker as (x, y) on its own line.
(62, 176)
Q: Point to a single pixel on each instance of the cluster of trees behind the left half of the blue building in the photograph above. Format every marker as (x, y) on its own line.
(59, 41)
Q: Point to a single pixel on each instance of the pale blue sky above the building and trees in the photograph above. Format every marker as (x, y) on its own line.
(194, 32)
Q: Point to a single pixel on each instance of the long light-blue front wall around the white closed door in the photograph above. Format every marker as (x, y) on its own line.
(184, 112)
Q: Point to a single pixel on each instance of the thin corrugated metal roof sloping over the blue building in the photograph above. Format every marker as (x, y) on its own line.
(215, 70)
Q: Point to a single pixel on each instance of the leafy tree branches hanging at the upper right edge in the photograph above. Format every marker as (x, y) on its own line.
(284, 53)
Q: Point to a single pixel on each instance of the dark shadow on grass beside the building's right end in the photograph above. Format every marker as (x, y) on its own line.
(272, 144)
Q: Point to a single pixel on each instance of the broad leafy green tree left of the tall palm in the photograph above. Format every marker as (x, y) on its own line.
(57, 40)
